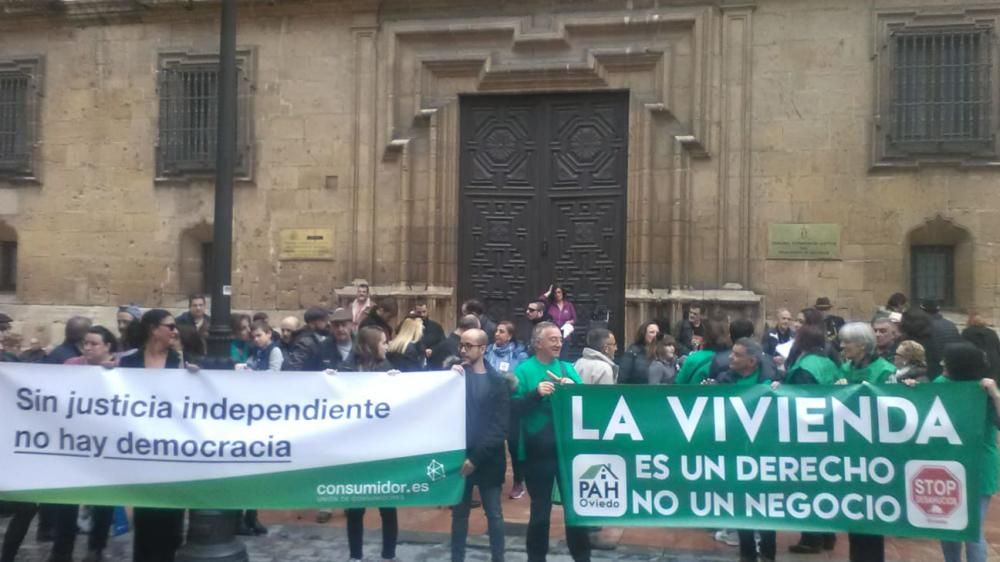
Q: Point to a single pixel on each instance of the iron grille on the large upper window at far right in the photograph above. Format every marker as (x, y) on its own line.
(941, 96)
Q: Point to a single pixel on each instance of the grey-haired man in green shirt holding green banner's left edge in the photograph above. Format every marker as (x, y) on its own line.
(537, 378)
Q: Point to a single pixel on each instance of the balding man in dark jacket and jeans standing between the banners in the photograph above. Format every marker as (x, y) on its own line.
(487, 411)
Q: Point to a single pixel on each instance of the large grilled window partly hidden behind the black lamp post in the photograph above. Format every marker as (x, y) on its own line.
(189, 89)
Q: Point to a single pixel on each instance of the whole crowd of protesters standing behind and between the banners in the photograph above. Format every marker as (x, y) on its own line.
(510, 369)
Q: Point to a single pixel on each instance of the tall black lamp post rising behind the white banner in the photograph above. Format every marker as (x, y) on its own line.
(212, 533)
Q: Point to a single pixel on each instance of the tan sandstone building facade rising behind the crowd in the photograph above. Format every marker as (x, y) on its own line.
(734, 116)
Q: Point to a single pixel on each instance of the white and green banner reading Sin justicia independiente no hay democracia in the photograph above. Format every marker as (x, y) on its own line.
(230, 439)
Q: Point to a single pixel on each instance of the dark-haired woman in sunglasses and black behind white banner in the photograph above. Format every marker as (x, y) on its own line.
(158, 531)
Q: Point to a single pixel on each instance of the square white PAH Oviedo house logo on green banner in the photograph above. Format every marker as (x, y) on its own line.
(600, 487)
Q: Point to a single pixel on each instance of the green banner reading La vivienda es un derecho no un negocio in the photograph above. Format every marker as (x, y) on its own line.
(889, 460)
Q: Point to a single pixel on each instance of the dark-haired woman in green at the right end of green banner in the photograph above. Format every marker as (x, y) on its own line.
(965, 362)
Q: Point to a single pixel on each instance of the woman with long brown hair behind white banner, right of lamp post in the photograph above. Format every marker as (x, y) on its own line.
(370, 356)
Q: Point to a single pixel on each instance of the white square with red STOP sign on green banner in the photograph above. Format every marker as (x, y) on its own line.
(936, 496)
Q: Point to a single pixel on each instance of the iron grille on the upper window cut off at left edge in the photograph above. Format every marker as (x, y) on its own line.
(17, 124)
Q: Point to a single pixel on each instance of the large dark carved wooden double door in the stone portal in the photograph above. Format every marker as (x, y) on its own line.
(542, 201)
